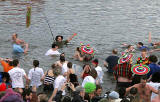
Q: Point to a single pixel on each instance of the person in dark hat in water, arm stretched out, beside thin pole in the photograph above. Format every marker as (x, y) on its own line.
(60, 42)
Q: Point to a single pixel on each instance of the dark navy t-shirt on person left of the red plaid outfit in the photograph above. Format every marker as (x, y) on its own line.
(112, 61)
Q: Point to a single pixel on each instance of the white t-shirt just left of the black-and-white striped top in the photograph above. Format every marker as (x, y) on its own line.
(35, 75)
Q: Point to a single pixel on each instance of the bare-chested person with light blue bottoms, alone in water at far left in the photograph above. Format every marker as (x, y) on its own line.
(19, 46)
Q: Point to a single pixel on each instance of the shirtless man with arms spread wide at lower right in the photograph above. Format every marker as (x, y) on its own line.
(144, 90)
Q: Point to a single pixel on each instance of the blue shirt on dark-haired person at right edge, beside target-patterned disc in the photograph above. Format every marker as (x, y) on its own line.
(153, 69)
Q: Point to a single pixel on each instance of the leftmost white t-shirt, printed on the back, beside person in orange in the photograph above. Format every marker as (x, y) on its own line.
(17, 75)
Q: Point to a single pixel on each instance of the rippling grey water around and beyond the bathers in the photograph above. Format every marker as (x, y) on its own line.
(104, 24)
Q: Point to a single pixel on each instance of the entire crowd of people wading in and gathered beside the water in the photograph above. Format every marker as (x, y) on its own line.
(136, 81)
